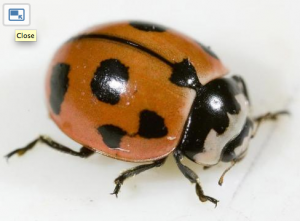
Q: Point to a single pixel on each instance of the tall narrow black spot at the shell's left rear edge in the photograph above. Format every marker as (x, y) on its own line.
(59, 83)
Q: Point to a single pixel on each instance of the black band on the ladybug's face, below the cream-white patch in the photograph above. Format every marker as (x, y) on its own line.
(228, 153)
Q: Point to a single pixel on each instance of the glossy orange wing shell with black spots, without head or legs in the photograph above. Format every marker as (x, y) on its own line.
(114, 89)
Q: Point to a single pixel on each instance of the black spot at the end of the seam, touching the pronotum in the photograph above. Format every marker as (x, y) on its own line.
(184, 75)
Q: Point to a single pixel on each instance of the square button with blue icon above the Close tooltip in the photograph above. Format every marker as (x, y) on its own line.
(16, 14)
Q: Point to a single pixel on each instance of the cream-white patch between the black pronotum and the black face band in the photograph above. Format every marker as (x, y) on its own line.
(214, 143)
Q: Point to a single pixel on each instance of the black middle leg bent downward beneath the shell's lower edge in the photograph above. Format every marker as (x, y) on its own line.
(134, 171)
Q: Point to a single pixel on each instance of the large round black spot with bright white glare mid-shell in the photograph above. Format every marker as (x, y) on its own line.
(109, 81)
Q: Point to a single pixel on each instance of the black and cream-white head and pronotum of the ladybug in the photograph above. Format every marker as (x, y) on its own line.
(219, 126)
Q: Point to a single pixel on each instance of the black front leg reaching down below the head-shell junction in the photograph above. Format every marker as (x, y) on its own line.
(192, 177)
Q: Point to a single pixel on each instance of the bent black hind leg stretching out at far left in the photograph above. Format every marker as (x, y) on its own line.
(83, 152)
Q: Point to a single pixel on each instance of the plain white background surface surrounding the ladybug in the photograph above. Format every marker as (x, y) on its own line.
(258, 39)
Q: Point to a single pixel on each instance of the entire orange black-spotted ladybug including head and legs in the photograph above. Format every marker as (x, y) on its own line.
(138, 92)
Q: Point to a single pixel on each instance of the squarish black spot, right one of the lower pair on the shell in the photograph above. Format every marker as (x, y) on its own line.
(152, 125)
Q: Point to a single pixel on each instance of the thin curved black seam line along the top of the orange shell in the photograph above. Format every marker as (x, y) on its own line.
(123, 41)
